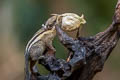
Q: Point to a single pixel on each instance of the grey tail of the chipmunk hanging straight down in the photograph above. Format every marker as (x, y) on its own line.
(27, 73)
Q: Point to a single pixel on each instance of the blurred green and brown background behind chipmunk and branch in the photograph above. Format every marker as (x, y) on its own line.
(20, 19)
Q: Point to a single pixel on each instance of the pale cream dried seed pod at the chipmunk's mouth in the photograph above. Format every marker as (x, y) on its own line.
(71, 21)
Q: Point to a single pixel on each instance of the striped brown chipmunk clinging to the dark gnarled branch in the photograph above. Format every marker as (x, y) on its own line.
(38, 44)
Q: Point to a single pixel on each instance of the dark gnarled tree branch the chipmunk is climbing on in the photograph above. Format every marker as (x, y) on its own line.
(89, 56)
